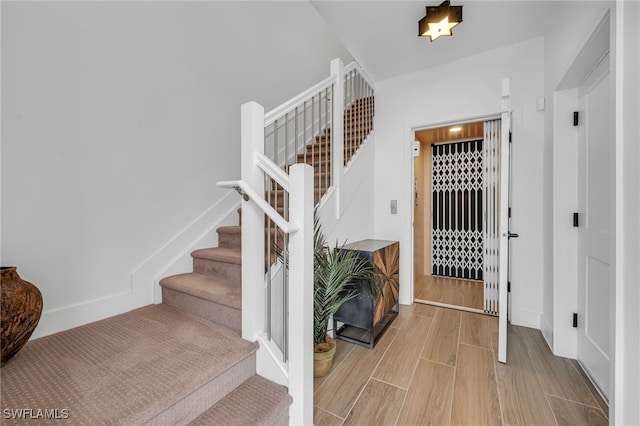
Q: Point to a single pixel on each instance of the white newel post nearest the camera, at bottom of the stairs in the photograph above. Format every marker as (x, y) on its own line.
(301, 295)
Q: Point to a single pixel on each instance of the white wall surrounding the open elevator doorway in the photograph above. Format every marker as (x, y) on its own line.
(460, 90)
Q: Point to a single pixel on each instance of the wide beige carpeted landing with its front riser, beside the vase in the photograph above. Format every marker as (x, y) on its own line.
(151, 364)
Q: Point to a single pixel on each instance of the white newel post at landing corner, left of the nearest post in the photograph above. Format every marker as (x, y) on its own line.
(253, 297)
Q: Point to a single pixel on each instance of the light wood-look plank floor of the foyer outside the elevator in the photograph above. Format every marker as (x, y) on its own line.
(438, 366)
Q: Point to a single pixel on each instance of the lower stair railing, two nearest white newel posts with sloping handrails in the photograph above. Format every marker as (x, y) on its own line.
(299, 228)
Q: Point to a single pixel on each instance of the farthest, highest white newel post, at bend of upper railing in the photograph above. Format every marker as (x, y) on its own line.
(337, 137)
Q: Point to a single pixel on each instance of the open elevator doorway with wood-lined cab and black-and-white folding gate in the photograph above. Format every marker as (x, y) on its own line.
(448, 215)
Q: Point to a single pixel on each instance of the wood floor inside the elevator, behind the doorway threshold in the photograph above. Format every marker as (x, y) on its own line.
(449, 291)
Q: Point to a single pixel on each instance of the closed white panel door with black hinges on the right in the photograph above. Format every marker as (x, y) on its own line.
(595, 207)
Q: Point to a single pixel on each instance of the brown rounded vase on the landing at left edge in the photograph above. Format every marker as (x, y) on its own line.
(21, 310)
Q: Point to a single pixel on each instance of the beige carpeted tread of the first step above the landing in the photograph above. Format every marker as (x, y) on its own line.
(214, 289)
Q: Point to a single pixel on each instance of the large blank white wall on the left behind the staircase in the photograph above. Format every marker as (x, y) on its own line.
(117, 120)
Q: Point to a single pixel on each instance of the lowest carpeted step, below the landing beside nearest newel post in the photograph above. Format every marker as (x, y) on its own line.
(256, 402)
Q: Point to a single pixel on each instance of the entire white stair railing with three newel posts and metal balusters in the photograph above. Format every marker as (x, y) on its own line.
(292, 158)
